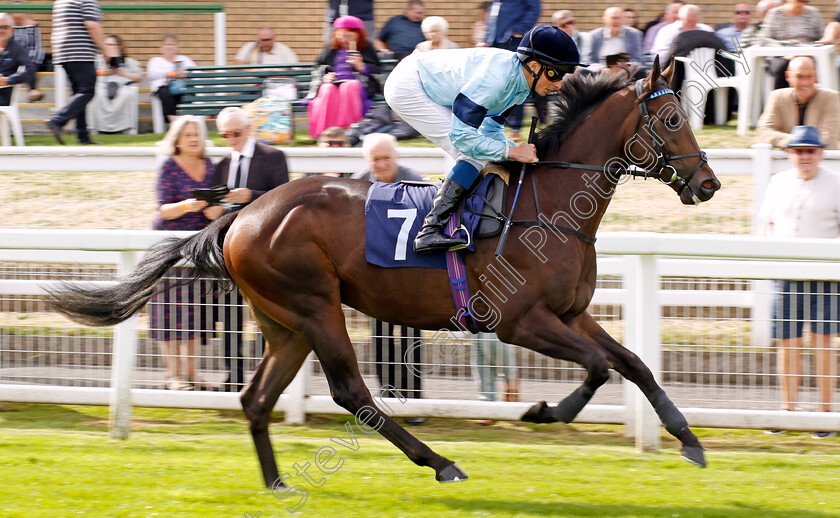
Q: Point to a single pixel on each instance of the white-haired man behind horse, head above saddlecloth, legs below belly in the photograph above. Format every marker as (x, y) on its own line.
(380, 153)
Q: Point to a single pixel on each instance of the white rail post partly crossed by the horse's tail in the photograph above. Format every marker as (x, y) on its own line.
(122, 363)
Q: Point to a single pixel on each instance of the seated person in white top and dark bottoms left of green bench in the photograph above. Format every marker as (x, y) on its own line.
(166, 73)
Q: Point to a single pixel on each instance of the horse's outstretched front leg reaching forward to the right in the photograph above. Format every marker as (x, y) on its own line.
(632, 368)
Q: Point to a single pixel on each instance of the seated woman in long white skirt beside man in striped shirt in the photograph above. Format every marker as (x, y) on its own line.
(110, 109)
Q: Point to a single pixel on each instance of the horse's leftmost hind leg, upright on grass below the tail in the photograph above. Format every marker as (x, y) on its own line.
(284, 353)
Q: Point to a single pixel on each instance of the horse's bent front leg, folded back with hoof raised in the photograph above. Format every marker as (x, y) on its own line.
(543, 331)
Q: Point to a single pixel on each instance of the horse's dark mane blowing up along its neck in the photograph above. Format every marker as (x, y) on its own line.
(580, 94)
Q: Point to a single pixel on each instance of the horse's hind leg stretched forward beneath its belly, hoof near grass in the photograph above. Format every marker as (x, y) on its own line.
(327, 334)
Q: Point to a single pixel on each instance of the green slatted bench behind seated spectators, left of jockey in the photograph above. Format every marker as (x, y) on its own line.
(212, 88)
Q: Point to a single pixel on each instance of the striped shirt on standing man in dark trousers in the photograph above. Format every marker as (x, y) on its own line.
(71, 40)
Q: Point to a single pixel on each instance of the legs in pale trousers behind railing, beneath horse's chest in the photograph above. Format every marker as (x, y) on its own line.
(492, 357)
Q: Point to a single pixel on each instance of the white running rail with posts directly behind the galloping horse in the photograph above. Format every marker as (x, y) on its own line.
(641, 259)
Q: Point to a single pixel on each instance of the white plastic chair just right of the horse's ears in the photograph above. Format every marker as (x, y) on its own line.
(706, 81)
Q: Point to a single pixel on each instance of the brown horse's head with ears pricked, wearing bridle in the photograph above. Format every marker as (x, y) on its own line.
(661, 140)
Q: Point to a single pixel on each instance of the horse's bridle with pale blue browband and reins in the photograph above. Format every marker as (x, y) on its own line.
(660, 169)
